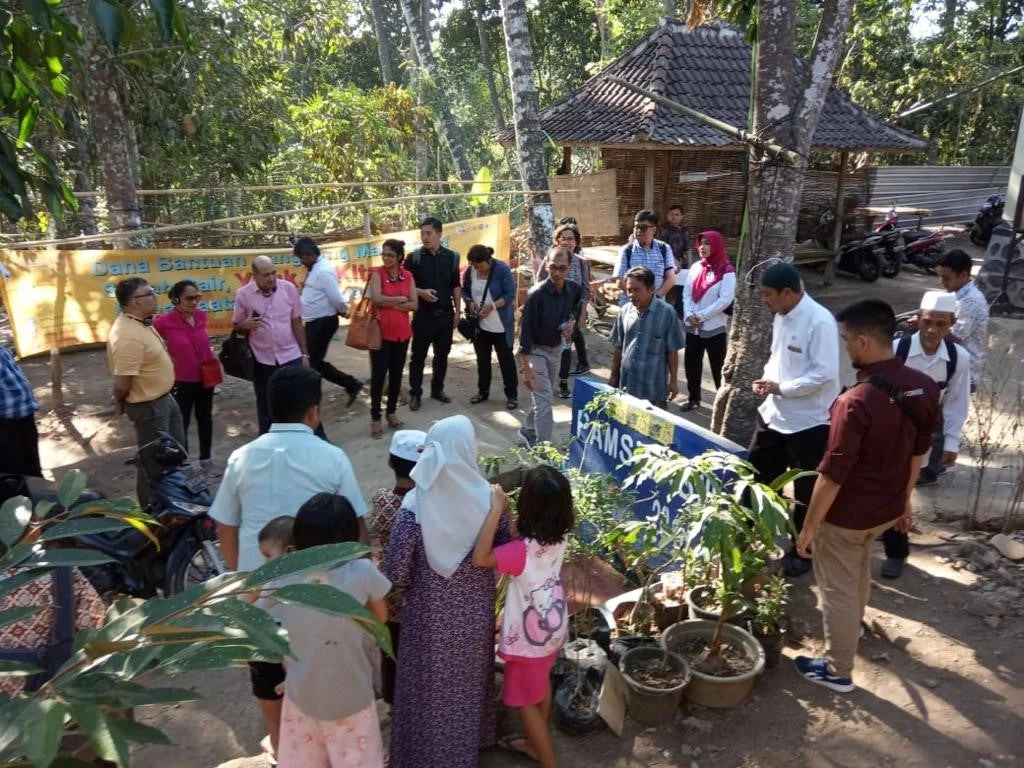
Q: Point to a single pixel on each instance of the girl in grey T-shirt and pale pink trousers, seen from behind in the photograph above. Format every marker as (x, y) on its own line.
(330, 715)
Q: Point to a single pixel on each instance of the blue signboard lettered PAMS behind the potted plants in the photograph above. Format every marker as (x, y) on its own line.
(632, 422)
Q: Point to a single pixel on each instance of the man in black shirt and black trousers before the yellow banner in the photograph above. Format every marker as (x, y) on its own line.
(436, 270)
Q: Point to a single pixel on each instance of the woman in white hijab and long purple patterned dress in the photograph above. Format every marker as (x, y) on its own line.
(444, 703)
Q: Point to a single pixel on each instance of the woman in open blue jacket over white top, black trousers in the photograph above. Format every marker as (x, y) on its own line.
(489, 290)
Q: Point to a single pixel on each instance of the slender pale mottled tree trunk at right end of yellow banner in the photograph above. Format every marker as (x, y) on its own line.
(527, 116)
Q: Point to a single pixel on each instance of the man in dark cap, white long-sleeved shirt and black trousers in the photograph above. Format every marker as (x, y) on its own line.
(800, 382)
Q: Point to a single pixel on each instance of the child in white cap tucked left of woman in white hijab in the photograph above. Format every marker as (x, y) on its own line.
(404, 454)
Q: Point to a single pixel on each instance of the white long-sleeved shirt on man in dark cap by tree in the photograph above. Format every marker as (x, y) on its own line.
(804, 362)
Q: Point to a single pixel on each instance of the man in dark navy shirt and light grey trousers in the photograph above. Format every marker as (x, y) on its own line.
(548, 320)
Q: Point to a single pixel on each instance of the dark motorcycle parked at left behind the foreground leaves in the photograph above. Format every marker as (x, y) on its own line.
(181, 500)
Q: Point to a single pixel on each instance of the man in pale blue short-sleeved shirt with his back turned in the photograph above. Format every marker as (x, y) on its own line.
(275, 476)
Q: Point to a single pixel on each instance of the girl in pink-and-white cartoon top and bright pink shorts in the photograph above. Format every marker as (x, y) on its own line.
(536, 621)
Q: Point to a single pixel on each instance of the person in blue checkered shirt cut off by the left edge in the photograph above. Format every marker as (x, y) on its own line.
(19, 439)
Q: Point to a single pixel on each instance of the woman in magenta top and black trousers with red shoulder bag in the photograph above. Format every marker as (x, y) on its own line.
(197, 372)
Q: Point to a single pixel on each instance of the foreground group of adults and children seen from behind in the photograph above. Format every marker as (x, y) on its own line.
(440, 536)
